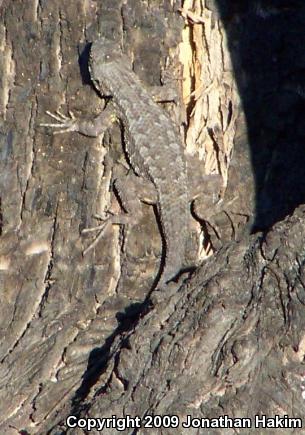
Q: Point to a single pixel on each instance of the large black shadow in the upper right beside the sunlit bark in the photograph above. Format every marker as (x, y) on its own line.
(266, 41)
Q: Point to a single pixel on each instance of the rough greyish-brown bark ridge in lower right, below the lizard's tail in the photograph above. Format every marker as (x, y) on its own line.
(230, 342)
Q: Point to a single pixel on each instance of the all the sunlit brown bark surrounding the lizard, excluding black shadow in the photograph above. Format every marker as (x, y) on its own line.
(76, 333)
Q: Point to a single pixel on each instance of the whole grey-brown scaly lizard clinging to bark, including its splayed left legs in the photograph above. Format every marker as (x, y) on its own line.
(153, 149)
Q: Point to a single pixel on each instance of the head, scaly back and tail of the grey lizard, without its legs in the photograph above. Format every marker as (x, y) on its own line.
(153, 146)
